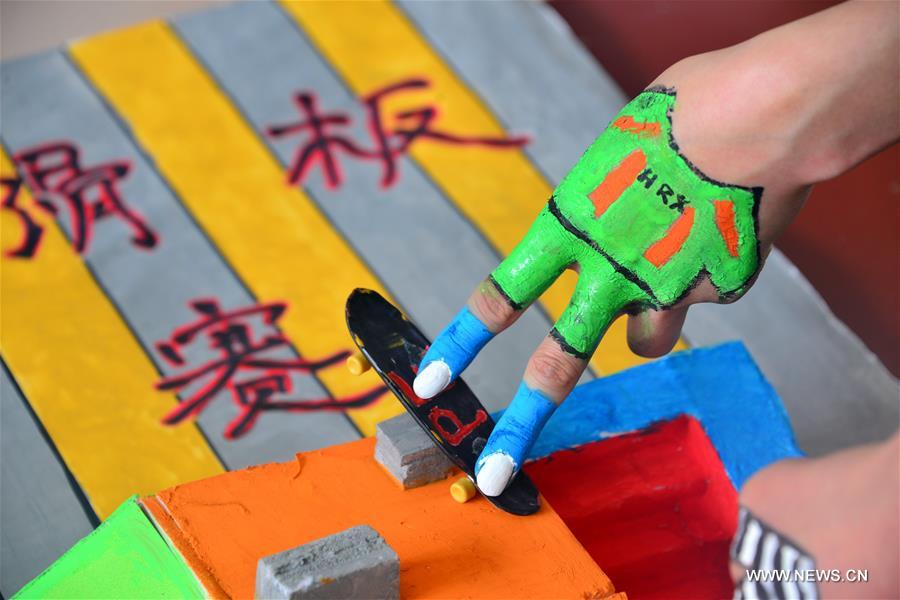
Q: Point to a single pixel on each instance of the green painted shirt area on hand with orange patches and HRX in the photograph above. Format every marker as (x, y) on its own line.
(642, 225)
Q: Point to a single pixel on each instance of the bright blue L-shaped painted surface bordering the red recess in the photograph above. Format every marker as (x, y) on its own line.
(720, 386)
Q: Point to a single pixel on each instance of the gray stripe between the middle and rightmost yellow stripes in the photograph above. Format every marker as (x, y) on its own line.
(416, 242)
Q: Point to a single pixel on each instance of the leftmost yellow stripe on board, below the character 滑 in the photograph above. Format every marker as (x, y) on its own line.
(85, 376)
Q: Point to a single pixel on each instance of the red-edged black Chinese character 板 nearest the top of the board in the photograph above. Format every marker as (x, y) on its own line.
(388, 144)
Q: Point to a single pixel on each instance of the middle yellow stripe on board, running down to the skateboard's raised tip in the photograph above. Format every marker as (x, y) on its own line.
(271, 233)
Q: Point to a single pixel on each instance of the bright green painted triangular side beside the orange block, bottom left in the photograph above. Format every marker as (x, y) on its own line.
(125, 557)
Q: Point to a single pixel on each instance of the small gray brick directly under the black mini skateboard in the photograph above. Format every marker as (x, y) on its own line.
(408, 453)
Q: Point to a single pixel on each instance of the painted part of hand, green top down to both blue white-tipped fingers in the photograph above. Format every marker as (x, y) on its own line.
(642, 226)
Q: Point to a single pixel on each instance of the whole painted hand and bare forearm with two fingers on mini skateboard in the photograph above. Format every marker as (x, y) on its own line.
(650, 234)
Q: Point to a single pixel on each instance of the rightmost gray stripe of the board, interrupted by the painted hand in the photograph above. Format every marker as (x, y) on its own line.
(533, 73)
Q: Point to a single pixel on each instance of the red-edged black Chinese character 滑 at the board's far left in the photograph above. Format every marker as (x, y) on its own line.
(56, 177)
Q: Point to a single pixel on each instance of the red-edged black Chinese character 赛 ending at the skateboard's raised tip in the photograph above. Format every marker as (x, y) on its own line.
(229, 335)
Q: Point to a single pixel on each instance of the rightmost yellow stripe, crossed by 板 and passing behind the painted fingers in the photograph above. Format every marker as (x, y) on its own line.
(372, 44)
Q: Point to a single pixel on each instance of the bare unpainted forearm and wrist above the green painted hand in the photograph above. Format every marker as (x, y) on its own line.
(796, 105)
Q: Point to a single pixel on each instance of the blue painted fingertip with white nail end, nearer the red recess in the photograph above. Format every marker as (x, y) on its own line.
(511, 439)
